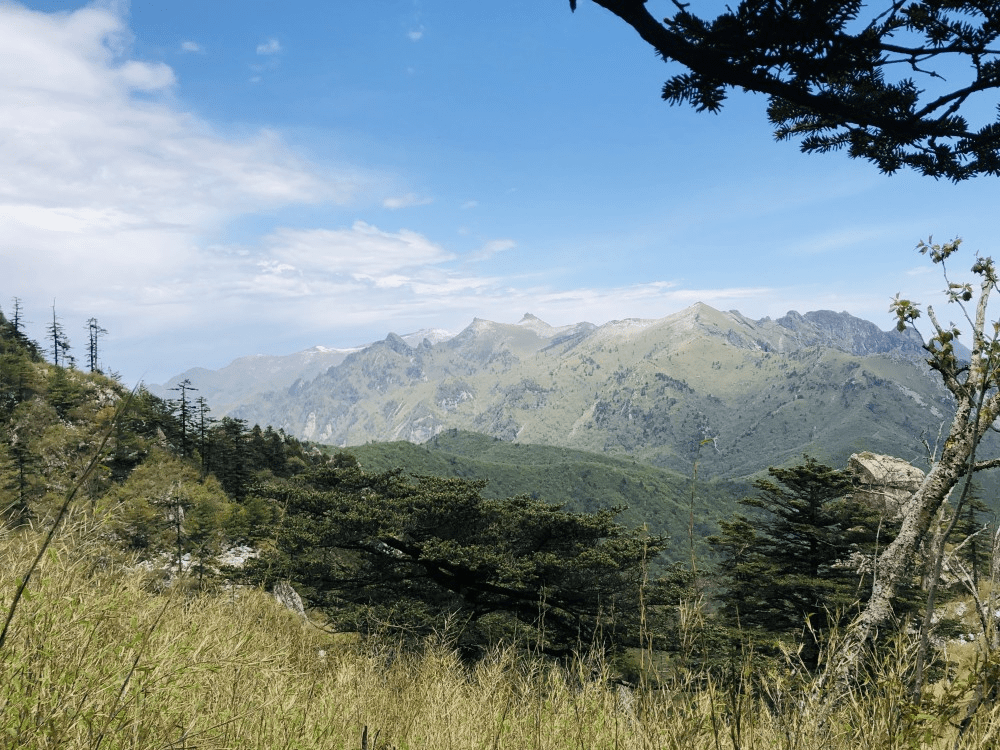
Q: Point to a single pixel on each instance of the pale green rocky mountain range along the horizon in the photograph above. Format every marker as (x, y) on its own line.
(733, 393)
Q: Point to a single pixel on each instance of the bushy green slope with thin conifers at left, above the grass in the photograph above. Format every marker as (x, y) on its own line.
(158, 499)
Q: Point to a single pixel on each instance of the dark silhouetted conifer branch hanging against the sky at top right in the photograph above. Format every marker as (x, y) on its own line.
(828, 70)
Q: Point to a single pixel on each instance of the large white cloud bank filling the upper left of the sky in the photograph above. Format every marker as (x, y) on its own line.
(108, 191)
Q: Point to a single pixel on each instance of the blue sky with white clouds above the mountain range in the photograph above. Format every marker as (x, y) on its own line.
(214, 179)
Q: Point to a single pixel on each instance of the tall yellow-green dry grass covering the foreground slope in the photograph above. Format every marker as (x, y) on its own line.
(95, 660)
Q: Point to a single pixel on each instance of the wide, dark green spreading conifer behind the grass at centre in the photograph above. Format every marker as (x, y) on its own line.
(379, 550)
